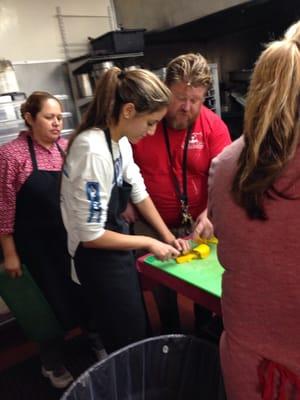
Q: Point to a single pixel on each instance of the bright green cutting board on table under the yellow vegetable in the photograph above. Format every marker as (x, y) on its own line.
(205, 274)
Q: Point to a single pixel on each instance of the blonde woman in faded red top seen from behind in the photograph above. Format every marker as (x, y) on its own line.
(254, 203)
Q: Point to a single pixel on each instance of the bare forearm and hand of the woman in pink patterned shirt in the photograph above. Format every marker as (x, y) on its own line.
(12, 263)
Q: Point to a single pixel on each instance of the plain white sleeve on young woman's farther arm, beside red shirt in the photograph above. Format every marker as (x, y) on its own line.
(132, 174)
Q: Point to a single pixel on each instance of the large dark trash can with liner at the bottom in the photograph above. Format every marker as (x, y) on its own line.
(171, 367)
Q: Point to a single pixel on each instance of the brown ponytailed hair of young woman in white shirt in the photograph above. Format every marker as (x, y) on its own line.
(116, 87)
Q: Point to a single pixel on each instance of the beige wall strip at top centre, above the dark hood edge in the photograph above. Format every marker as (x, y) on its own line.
(158, 14)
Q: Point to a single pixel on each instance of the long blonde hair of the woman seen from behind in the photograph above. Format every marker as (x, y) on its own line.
(271, 123)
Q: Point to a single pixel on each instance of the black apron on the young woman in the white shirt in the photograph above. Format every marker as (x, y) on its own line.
(110, 280)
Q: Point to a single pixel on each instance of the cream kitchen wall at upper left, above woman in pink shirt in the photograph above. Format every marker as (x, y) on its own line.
(31, 38)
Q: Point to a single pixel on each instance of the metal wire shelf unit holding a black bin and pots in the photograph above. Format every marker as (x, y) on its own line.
(83, 71)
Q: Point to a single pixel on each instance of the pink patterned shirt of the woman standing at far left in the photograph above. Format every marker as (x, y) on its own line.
(15, 168)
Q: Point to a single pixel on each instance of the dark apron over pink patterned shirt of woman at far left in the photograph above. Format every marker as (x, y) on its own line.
(41, 239)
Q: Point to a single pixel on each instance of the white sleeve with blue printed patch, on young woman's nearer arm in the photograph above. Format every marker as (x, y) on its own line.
(91, 194)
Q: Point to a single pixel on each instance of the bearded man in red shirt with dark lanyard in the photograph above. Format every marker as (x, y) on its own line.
(176, 160)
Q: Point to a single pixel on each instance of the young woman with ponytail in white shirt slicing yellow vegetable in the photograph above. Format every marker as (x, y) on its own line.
(99, 178)
